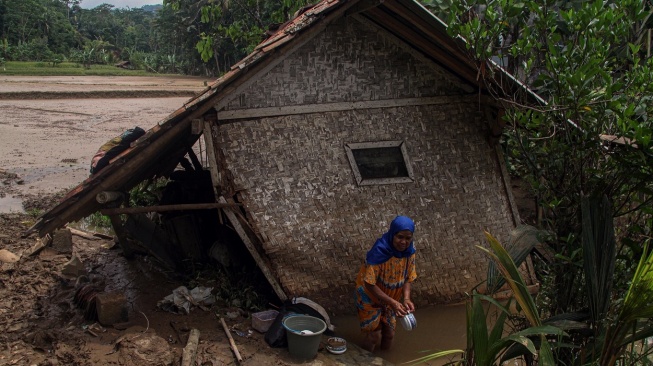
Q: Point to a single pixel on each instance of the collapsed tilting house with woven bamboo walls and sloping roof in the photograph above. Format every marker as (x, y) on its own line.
(353, 112)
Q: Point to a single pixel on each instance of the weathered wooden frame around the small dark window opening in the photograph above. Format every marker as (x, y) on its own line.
(349, 147)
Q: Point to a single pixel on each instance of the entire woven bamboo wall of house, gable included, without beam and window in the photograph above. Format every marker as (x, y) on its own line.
(300, 192)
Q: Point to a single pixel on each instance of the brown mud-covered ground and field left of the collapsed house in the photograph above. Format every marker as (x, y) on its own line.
(46, 145)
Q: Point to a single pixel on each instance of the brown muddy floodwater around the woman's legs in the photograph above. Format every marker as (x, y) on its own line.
(439, 328)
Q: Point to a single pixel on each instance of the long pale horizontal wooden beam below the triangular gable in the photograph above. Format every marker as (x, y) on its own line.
(342, 106)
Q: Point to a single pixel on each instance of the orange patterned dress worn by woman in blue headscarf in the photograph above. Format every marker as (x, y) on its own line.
(390, 277)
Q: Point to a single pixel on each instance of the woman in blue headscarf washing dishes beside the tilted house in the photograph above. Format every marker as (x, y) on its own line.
(383, 284)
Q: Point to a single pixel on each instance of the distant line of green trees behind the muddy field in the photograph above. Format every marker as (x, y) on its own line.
(194, 37)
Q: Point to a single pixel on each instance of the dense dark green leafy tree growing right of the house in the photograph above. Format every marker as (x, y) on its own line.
(592, 135)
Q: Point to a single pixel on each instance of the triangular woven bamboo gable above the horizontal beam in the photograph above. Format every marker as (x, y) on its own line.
(347, 63)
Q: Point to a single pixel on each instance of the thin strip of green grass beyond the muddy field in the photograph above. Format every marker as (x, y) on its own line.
(28, 68)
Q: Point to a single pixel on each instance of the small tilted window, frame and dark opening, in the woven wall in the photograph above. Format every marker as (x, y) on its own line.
(381, 162)
